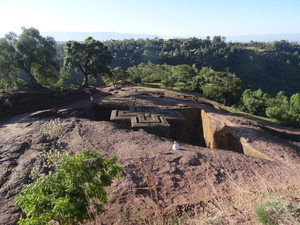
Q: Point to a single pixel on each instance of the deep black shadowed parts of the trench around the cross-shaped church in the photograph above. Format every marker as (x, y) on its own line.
(189, 130)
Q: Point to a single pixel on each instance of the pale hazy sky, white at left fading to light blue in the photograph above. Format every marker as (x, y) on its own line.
(161, 17)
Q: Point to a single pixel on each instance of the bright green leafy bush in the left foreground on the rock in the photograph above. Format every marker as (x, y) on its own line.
(66, 195)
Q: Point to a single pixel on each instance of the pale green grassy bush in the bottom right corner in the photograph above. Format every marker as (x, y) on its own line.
(275, 212)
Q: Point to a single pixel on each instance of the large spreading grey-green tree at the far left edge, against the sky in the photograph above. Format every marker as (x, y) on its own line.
(30, 52)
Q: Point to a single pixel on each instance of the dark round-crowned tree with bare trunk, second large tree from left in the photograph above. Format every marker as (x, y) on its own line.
(90, 57)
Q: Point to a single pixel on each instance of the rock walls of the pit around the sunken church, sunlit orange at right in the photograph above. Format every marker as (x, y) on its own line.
(199, 128)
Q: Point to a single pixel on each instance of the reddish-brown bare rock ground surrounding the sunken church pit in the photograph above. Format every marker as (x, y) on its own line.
(156, 179)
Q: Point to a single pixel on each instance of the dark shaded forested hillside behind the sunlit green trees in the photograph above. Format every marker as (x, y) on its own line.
(272, 67)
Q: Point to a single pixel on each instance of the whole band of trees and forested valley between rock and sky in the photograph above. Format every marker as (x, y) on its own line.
(256, 77)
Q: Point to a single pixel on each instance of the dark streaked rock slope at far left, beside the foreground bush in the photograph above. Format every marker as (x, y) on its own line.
(20, 145)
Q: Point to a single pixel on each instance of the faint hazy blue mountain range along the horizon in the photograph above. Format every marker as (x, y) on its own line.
(104, 36)
